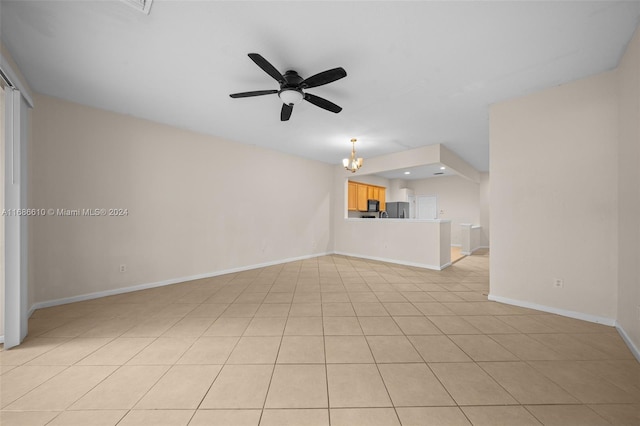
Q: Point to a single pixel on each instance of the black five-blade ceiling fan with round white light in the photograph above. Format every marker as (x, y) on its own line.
(292, 86)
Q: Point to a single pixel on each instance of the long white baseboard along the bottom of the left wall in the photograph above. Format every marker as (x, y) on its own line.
(123, 290)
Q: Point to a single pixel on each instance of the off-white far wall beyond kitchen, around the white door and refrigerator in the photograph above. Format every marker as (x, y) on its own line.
(458, 199)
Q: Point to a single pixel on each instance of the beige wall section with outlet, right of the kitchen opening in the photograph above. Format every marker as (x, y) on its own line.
(554, 203)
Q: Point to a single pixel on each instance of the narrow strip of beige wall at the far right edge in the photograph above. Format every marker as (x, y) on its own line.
(629, 190)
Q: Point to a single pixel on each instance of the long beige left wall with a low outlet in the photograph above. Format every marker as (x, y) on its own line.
(196, 204)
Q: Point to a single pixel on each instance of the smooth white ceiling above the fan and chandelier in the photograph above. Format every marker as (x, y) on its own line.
(419, 73)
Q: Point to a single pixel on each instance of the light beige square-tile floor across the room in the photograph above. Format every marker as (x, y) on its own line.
(327, 341)
